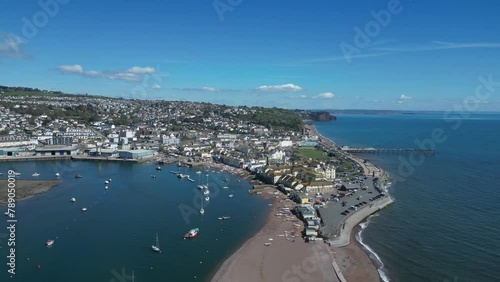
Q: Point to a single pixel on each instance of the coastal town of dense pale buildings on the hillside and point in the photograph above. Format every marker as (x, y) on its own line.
(320, 192)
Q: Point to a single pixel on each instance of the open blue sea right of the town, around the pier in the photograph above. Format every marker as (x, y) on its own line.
(445, 222)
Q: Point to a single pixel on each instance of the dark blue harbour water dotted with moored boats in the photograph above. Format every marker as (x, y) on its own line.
(120, 225)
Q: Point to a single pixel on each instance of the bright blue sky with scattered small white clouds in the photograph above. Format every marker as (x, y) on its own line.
(369, 54)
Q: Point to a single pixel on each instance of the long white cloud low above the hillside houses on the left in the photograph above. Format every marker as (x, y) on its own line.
(133, 74)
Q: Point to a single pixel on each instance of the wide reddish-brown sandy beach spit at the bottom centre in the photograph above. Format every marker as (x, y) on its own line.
(284, 259)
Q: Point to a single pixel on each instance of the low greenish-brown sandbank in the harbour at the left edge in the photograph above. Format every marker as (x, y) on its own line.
(26, 188)
